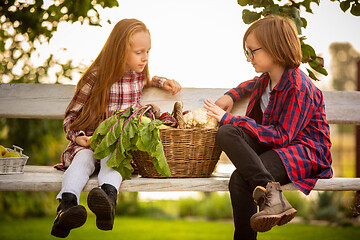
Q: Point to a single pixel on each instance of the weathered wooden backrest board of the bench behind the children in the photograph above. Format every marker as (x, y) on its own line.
(51, 100)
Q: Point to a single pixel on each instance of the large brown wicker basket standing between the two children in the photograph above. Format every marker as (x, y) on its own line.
(189, 153)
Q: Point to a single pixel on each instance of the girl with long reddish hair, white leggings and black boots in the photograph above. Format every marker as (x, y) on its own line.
(114, 81)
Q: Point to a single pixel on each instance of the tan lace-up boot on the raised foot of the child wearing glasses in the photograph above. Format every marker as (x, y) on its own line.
(274, 209)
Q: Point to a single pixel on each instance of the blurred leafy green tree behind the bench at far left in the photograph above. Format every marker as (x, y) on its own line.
(24, 25)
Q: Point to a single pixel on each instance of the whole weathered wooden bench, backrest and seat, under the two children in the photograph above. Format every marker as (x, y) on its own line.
(49, 101)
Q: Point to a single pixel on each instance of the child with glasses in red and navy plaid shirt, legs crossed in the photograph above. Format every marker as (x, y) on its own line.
(284, 136)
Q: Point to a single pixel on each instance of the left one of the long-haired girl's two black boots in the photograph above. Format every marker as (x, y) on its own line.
(69, 215)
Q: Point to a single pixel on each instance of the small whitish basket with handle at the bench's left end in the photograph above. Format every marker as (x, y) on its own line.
(13, 165)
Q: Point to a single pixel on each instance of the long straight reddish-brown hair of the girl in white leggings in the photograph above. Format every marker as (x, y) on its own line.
(109, 67)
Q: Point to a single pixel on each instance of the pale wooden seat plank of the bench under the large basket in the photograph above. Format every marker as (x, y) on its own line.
(46, 178)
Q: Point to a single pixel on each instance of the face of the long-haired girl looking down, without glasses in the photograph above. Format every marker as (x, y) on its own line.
(138, 55)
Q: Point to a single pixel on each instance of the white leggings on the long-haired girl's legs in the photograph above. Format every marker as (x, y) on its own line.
(81, 168)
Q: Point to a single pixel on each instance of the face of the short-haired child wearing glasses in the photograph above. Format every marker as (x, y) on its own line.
(262, 61)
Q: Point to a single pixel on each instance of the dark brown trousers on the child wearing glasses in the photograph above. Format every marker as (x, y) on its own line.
(256, 165)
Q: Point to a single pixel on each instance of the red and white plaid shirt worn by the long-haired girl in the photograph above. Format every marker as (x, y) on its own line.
(123, 94)
